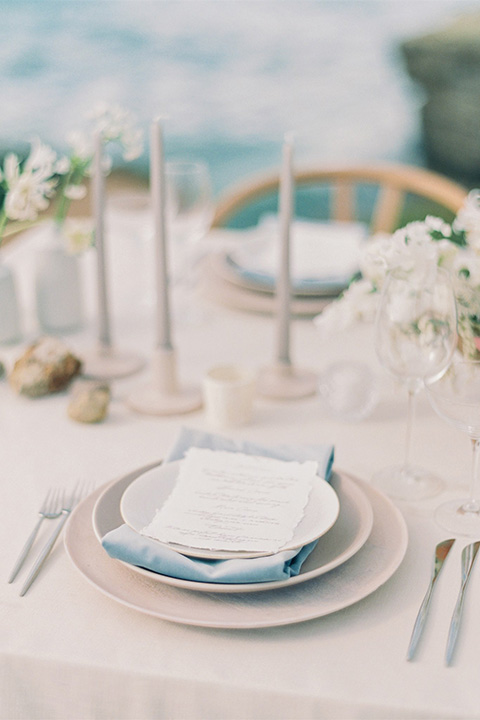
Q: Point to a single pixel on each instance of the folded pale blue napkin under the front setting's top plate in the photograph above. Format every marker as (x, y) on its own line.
(125, 544)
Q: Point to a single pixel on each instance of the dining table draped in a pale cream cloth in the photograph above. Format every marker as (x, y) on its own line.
(76, 646)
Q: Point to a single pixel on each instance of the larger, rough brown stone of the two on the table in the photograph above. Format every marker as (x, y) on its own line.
(47, 366)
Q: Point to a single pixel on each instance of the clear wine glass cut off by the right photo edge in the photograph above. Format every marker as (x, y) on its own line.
(456, 399)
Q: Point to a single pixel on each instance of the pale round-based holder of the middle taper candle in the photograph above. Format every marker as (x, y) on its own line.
(163, 396)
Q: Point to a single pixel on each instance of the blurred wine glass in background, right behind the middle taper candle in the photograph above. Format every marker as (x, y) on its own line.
(189, 203)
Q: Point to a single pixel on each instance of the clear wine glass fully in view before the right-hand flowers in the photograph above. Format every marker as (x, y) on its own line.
(415, 338)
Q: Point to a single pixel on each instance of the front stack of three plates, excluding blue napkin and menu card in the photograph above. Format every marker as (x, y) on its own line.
(362, 539)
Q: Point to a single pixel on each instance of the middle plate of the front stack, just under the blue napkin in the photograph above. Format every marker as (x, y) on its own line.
(346, 537)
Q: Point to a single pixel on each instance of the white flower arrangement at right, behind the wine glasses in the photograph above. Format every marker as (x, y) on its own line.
(422, 244)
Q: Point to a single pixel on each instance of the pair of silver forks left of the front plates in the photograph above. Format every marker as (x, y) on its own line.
(57, 505)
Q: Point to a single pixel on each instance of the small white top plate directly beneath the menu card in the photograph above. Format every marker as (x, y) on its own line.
(148, 493)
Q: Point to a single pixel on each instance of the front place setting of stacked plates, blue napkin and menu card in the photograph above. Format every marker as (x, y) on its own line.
(116, 537)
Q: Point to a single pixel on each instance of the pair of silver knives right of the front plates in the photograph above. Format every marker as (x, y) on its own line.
(469, 554)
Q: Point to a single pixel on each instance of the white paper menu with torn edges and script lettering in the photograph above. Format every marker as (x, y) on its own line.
(234, 502)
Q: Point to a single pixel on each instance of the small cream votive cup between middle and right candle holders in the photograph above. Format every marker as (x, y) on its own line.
(228, 392)
